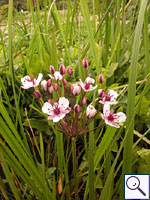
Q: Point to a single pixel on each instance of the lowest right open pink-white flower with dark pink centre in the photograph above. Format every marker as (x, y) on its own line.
(111, 118)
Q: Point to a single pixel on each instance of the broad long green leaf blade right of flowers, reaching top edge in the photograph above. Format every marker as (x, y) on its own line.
(127, 157)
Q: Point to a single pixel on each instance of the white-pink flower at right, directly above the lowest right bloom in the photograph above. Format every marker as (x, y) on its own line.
(109, 98)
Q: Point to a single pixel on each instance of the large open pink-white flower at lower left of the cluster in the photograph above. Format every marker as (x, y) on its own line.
(57, 111)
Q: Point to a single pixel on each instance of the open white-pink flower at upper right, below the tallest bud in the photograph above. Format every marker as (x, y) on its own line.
(88, 85)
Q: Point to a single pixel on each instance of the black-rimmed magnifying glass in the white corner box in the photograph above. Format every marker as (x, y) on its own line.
(133, 183)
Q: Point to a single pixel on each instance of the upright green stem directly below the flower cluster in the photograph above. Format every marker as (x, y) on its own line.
(75, 167)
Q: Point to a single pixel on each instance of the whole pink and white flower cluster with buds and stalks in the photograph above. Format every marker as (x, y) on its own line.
(66, 103)
